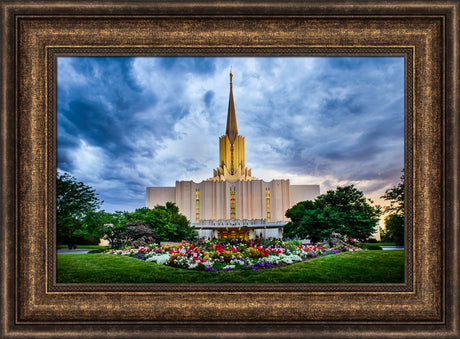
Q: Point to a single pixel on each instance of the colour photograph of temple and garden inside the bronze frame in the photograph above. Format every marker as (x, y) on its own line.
(148, 131)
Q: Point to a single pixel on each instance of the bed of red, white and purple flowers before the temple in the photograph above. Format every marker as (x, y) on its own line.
(241, 255)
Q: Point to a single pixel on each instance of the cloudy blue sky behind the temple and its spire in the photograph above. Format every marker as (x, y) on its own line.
(128, 123)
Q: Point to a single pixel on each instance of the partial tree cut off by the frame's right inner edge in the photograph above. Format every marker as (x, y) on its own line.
(394, 222)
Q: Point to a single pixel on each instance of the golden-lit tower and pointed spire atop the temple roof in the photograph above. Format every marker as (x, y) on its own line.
(231, 149)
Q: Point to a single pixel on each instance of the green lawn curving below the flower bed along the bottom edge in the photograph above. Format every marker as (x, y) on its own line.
(349, 267)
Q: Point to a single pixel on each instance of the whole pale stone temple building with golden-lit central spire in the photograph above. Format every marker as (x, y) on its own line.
(232, 202)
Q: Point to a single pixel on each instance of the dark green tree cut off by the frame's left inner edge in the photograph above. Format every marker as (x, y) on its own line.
(74, 201)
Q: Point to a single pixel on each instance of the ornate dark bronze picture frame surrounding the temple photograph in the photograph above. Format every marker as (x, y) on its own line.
(35, 38)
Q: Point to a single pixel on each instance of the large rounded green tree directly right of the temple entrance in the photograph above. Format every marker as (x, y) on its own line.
(344, 211)
